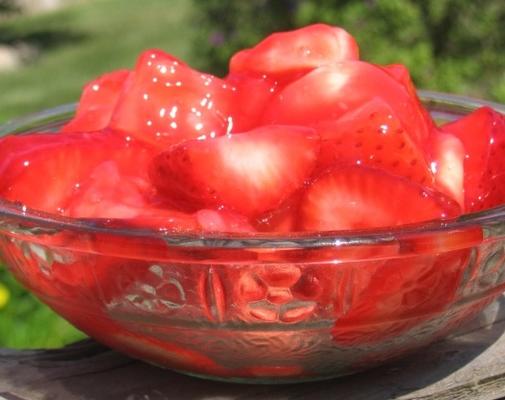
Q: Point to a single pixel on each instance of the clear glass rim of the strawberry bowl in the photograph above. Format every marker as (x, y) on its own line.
(19, 219)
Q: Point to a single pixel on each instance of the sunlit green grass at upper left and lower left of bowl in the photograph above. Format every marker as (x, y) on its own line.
(82, 41)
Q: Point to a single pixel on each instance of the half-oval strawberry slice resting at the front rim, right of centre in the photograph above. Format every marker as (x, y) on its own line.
(358, 197)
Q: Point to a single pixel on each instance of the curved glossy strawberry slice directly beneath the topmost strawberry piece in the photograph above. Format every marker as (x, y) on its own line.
(328, 92)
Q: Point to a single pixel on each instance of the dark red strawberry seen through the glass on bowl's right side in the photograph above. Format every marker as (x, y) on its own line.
(387, 299)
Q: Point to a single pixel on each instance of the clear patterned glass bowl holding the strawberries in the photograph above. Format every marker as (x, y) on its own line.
(259, 308)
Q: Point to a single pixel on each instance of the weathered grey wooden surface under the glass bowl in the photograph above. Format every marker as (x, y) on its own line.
(468, 365)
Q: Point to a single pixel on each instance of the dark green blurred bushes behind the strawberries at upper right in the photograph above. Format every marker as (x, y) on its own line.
(449, 45)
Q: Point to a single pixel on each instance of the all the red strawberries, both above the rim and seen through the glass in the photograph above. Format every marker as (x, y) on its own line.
(300, 138)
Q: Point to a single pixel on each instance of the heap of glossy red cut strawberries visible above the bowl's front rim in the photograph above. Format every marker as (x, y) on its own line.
(301, 135)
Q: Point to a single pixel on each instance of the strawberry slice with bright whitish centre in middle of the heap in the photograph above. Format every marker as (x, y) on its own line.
(250, 172)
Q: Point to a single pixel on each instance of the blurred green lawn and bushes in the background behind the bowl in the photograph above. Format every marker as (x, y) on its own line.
(50, 48)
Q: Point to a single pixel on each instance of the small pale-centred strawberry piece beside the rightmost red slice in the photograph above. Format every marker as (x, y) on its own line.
(447, 161)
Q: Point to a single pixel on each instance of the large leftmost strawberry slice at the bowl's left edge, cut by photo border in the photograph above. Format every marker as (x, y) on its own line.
(44, 171)
